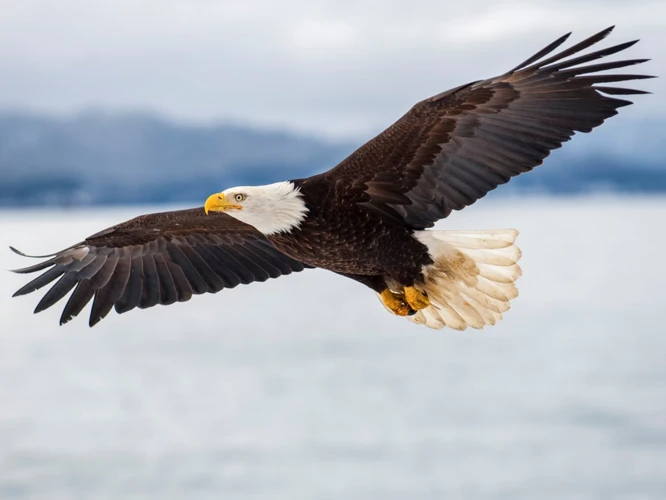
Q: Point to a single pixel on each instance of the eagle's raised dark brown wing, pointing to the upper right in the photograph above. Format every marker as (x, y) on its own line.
(452, 149)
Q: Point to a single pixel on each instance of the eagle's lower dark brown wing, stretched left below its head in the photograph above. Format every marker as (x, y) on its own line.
(155, 259)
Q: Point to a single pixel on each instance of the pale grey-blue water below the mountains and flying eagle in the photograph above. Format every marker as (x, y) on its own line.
(305, 388)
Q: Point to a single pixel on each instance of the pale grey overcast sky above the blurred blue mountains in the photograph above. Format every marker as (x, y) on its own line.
(339, 68)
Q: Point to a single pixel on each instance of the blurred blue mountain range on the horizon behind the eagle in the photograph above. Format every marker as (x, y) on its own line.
(102, 158)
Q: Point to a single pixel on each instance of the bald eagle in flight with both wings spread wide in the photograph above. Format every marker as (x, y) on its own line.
(368, 217)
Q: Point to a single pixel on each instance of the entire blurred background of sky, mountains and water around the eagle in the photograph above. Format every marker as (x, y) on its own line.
(304, 387)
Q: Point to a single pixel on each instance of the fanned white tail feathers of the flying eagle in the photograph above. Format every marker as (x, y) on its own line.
(472, 279)
